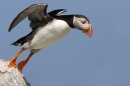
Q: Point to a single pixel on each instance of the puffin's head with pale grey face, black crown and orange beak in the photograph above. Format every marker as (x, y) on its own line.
(82, 23)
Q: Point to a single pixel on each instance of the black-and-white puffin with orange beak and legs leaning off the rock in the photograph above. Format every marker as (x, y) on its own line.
(47, 28)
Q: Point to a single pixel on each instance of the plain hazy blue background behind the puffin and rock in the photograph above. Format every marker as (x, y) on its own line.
(75, 60)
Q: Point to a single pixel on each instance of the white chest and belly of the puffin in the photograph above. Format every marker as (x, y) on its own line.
(49, 34)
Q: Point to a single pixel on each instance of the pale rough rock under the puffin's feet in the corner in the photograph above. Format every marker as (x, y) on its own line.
(11, 76)
